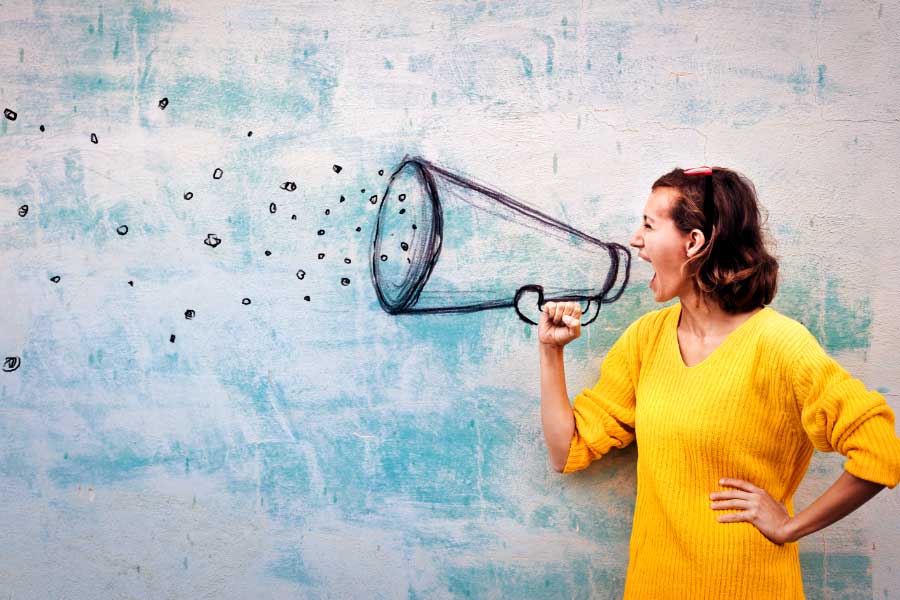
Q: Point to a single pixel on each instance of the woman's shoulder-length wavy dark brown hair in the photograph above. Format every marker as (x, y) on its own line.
(733, 267)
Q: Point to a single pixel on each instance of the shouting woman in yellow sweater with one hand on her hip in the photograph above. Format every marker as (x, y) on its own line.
(727, 399)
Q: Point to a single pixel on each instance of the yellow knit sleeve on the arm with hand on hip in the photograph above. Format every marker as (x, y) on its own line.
(839, 414)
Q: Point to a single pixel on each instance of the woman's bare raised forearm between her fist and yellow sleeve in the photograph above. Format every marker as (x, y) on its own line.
(556, 413)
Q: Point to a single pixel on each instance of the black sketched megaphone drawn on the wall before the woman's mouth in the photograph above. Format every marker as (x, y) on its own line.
(446, 244)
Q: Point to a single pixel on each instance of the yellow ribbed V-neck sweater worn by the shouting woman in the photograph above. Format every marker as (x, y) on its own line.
(754, 409)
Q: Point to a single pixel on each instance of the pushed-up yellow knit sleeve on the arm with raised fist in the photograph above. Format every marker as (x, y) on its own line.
(604, 414)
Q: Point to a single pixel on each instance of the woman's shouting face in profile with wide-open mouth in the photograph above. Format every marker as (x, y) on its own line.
(664, 246)
